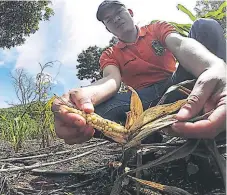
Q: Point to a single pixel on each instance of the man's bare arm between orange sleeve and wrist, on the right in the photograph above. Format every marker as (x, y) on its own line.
(193, 56)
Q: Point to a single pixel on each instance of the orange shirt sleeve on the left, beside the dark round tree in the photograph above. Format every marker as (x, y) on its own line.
(108, 58)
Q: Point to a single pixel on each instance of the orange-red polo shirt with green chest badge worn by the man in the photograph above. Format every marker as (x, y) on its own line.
(146, 61)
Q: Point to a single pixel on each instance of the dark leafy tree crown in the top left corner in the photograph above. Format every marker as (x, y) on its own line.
(19, 19)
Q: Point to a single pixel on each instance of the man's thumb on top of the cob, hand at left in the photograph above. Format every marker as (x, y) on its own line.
(83, 103)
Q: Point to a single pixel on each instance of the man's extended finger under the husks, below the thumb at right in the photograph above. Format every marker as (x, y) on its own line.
(204, 128)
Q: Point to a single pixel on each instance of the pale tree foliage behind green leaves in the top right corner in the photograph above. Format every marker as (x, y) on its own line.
(204, 7)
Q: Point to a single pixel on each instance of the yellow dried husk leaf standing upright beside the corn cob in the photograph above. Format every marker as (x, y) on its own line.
(136, 109)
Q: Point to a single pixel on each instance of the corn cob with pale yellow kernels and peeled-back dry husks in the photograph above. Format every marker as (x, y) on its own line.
(138, 121)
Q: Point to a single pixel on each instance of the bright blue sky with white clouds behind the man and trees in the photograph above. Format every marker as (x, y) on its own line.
(72, 29)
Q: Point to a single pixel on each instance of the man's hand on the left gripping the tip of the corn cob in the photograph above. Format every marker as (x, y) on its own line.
(70, 126)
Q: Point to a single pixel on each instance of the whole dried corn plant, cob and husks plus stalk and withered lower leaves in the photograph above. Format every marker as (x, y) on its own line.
(139, 125)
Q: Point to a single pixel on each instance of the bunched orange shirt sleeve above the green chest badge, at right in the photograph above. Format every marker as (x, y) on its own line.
(162, 29)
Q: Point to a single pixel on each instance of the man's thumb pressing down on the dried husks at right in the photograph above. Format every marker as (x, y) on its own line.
(199, 95)
